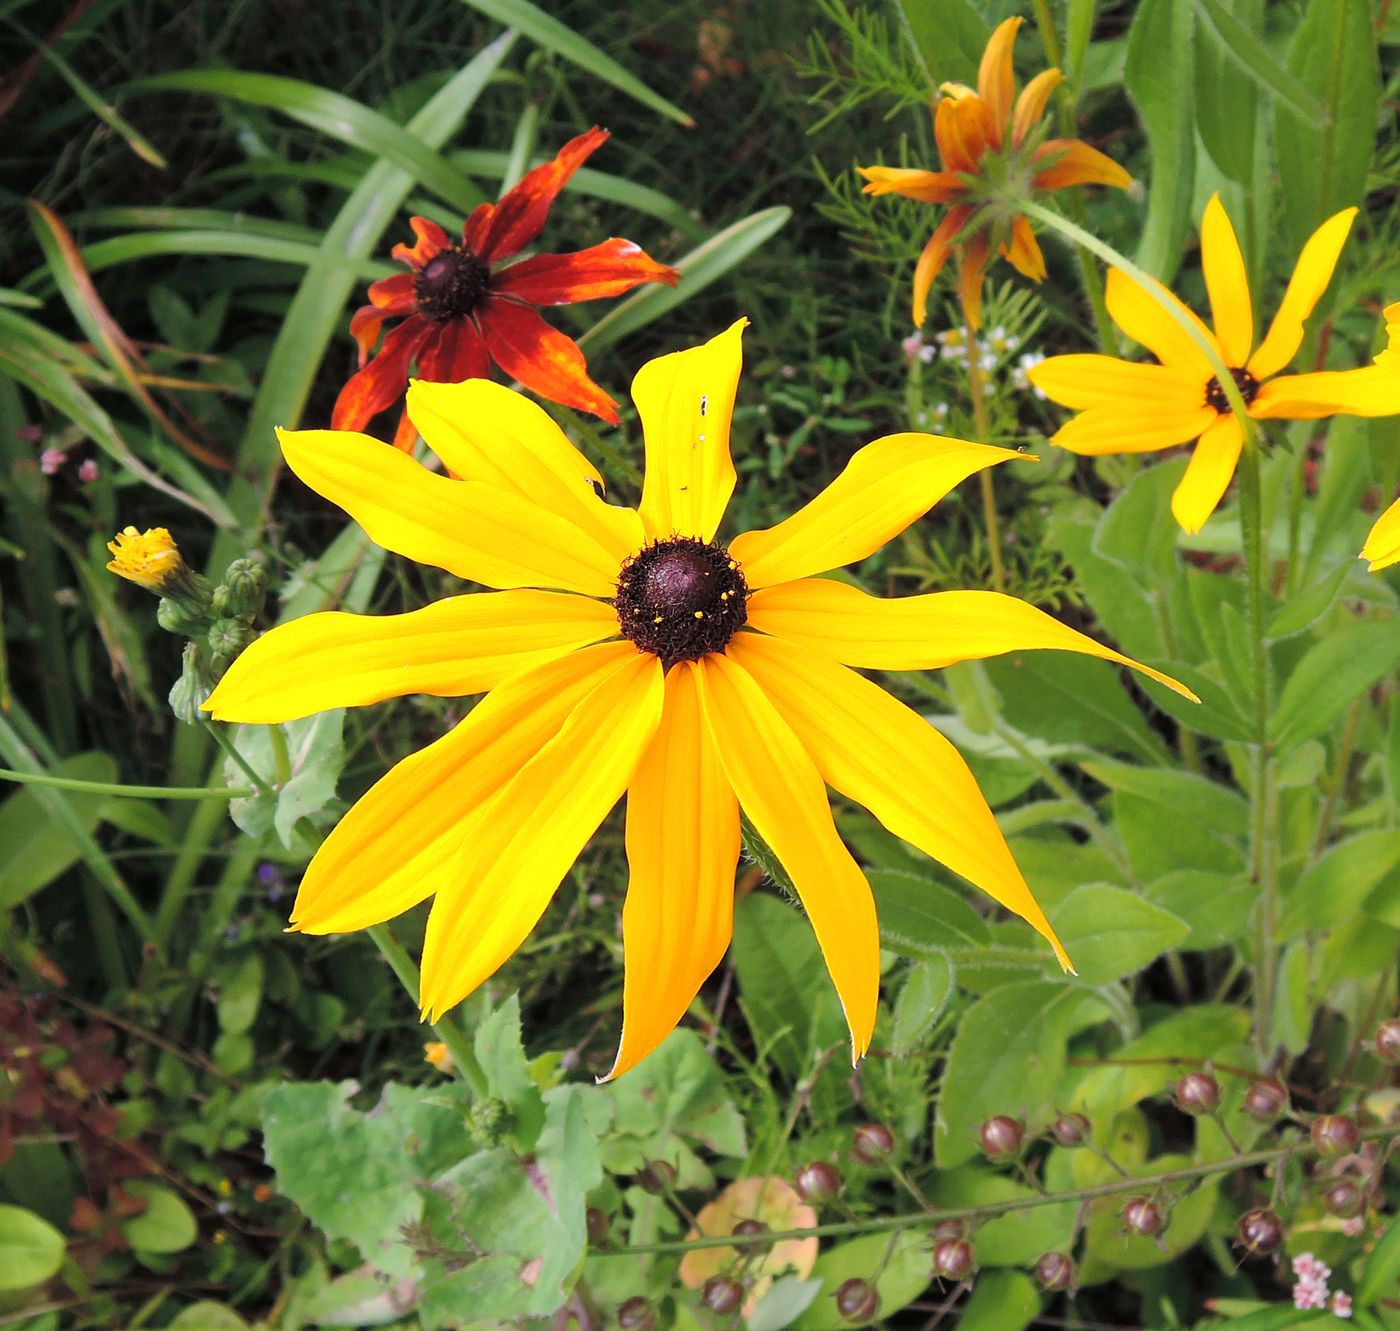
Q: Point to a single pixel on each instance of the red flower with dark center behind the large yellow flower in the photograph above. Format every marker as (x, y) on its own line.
(465, 307)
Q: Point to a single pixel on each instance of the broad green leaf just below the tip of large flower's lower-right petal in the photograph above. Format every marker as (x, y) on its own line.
(1006, 1059)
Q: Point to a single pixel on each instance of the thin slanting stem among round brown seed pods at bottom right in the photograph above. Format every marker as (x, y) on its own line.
(1142, 1183)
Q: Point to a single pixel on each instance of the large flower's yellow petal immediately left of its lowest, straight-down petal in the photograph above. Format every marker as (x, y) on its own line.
(523, 840)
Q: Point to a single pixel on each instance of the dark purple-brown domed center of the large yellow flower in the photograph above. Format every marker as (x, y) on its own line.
(681, 598)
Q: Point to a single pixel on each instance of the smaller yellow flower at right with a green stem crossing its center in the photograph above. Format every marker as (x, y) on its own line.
(1133, 408)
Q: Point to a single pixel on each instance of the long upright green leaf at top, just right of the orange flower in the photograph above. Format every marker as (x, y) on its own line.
(1157, 73)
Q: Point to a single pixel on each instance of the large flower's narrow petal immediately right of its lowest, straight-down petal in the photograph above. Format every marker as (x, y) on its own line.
(782, 791)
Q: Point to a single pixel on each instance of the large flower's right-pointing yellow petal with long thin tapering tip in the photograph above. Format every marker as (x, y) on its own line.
(919, 633)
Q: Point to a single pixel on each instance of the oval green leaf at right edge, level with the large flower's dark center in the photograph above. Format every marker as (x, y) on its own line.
(1332, 677)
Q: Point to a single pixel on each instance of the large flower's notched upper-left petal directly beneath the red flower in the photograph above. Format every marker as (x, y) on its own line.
(484, 432)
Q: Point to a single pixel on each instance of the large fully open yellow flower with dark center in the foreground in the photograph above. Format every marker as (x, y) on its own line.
(628, 650)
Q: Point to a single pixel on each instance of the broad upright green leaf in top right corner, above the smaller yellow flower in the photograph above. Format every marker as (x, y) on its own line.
(1324, 156)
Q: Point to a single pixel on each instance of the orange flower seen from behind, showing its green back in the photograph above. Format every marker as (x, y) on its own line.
(992, 156)
